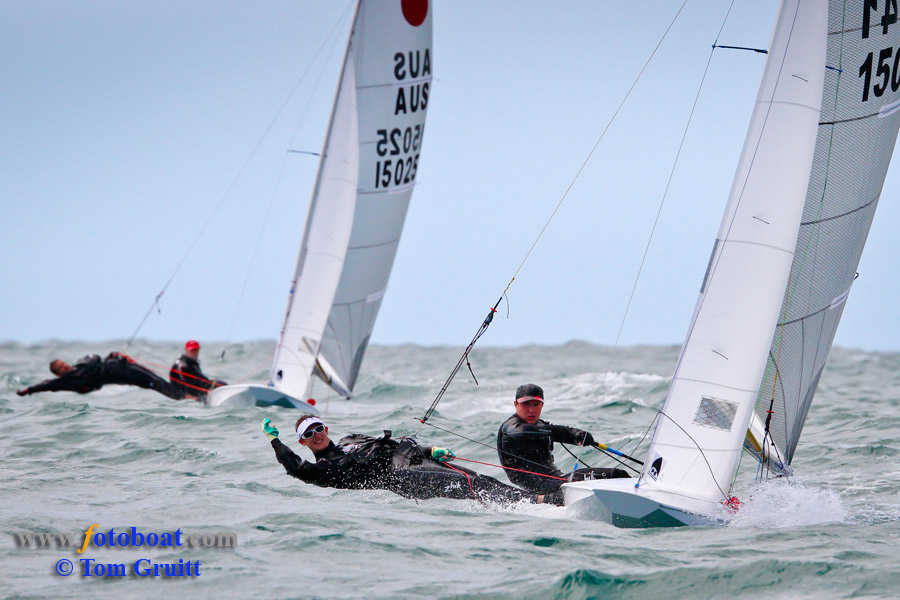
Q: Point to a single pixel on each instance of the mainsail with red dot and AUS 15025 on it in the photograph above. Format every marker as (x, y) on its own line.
(394, 81)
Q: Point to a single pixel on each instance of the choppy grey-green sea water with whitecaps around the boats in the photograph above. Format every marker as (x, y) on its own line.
(125, 457)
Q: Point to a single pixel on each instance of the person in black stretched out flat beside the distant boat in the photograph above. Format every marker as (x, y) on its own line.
(91, 373)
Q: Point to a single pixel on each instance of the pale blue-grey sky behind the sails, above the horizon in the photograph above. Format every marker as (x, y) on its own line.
(126, 124)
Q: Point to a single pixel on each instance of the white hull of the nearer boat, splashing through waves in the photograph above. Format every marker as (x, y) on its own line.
(618, 502)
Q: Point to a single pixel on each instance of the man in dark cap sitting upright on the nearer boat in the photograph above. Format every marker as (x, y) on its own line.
(525, 442)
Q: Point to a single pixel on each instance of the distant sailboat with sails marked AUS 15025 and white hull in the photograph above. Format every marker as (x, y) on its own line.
(364, 184)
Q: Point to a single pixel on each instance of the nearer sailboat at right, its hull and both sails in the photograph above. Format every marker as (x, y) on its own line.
(809, 178)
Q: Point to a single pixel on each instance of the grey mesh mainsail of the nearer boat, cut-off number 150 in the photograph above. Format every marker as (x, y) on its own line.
(857, 134)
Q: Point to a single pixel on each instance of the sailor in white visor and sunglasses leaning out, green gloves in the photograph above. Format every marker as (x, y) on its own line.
(400, 466)
